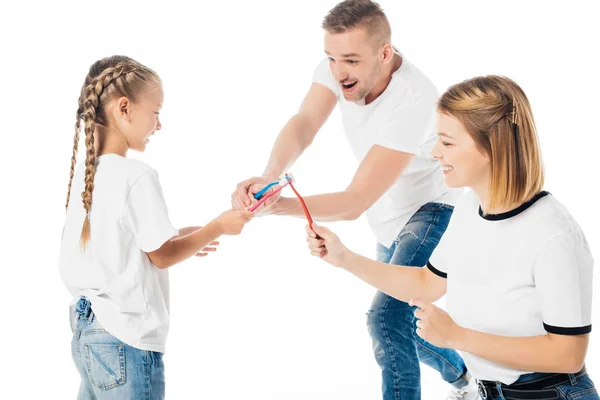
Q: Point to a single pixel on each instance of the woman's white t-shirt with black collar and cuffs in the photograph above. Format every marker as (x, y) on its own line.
(517, 274)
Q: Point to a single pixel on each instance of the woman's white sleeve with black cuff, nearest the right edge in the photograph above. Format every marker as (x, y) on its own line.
(563, 282)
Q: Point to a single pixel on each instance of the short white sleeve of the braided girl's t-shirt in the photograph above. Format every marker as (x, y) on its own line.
(145, 213)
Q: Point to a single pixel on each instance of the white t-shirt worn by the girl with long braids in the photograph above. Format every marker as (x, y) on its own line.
(129, 295)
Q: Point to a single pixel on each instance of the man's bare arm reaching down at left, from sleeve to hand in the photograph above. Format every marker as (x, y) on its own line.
(293, 139)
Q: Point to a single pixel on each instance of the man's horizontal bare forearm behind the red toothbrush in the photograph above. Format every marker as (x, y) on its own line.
(328, 207)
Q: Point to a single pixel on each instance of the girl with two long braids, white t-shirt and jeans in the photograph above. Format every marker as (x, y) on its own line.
(116, 249)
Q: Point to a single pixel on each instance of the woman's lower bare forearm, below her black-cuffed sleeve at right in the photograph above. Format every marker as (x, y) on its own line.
(536, 353)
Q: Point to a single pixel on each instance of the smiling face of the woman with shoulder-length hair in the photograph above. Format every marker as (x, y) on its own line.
(462, 162)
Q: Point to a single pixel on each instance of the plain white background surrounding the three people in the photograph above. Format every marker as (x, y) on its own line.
(261, 319)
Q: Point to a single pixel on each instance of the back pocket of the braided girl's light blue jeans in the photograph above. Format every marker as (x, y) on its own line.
(105, 364)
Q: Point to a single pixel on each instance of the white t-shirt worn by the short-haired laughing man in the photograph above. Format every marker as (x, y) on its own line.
(402, 118)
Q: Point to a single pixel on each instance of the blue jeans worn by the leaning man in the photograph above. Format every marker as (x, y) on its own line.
(397, 347)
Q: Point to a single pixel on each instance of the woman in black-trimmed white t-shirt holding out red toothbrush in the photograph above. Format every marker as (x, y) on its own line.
(515, 265)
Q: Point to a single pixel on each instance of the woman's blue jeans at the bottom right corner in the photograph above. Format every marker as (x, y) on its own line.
(578, 388)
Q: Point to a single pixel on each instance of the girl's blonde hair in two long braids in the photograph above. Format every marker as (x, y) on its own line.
(107, 79)
